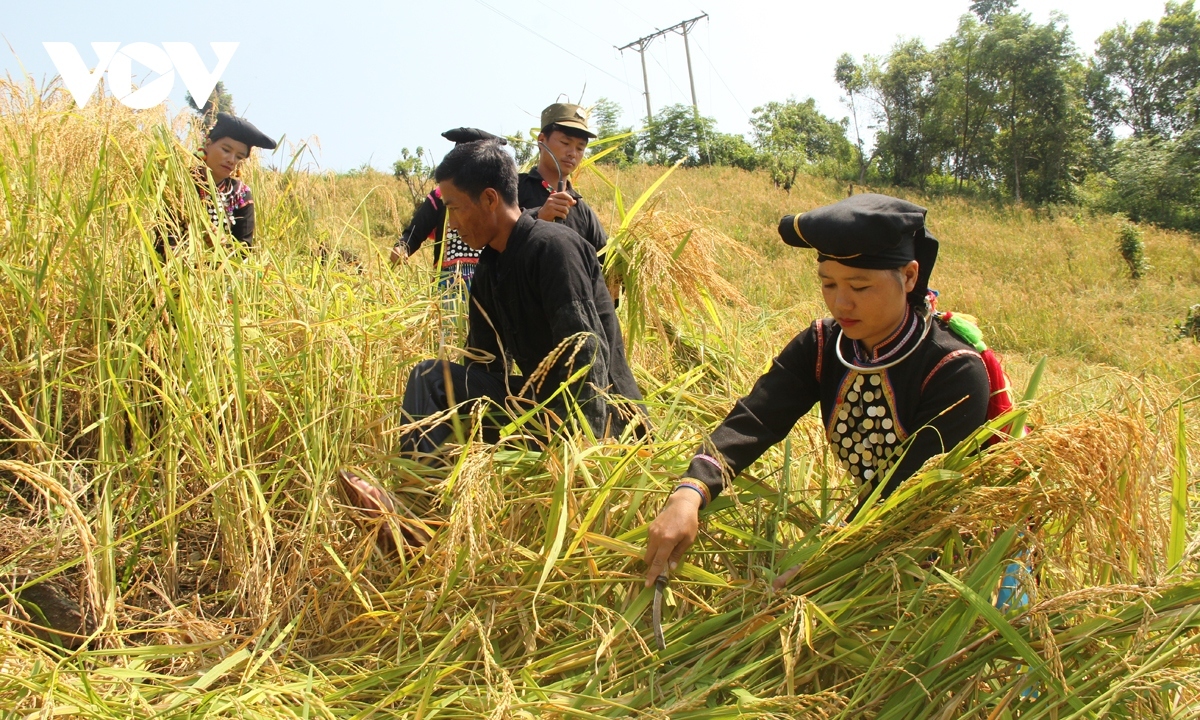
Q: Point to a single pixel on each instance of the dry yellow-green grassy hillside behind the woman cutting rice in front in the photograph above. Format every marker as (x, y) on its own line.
(1049, 283)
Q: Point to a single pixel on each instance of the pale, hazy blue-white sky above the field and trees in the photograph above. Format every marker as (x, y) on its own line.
(364, 80)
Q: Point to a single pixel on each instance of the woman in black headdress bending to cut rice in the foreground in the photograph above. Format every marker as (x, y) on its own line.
(895, 385)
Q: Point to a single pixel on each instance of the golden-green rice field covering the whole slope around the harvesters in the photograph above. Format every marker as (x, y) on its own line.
(171, 436)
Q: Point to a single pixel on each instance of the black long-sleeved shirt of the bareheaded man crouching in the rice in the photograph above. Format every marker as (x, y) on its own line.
(544, 289)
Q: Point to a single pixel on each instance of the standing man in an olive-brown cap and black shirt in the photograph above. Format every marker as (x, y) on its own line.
(562, 146)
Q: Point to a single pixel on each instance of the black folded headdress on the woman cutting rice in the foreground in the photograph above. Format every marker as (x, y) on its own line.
(868, 231)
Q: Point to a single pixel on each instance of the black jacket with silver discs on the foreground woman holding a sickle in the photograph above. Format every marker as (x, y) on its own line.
(867, 416)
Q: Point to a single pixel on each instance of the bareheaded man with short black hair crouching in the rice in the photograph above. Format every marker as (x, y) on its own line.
(538, 302)
